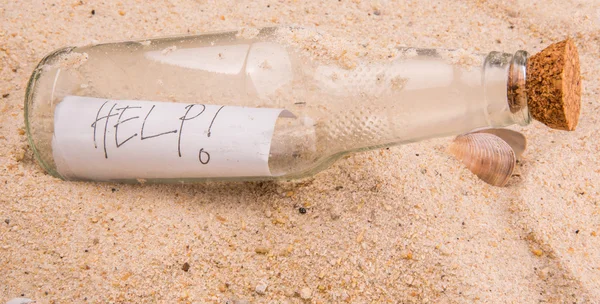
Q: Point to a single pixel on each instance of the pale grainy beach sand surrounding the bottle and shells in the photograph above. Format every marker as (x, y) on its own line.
(404, 225)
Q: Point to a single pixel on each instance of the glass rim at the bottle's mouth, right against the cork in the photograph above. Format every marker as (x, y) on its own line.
(516, 90)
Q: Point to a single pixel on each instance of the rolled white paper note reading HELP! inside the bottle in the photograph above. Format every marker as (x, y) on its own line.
(104, 139)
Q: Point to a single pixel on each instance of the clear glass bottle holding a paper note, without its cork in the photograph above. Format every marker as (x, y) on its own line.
(276, 86)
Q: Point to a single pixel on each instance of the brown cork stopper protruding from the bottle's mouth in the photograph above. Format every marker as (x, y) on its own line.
(554, 86)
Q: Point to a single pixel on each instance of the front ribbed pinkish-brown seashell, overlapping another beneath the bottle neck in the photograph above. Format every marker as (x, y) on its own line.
(488, 156)
